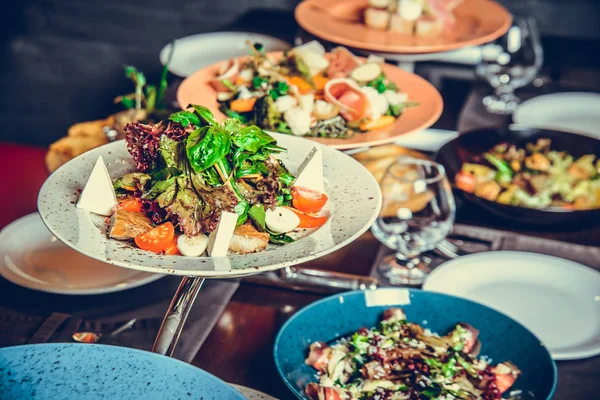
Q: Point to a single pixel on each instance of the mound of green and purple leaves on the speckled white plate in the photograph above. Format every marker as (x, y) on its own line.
(194, 168)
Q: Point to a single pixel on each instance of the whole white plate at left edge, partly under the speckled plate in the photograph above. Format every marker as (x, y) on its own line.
(32, 257)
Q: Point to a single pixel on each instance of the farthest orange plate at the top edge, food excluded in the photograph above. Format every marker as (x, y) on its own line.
(341, 21)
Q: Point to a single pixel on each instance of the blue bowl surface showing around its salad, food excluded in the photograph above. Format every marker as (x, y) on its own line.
(502, 338)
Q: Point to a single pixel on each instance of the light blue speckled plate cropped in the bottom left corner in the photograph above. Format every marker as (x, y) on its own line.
(87, 371)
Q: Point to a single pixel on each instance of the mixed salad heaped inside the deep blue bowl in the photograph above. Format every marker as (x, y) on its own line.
(402, 360)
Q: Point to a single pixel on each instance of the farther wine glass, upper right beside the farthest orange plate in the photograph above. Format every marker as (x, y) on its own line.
(509, 63)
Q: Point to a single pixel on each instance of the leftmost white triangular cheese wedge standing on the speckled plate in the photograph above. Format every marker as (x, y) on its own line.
(98, 196)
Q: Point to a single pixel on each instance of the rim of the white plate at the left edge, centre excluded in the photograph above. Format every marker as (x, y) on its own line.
(5, 271)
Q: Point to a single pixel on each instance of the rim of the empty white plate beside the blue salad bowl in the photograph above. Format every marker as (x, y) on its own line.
(440, 279)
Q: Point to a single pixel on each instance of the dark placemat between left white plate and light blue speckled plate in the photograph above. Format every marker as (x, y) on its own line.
(28, 316)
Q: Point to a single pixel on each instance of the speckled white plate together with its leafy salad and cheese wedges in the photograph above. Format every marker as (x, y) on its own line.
(192, 196)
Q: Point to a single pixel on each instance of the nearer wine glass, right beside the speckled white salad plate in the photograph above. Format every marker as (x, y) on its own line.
(417, 214)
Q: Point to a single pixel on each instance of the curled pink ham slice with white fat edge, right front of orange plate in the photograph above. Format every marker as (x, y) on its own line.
(346, 94)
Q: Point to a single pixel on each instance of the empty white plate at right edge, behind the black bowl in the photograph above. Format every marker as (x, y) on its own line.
(576, 112)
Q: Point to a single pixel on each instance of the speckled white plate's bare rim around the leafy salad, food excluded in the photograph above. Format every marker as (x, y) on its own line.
(354, 193)
